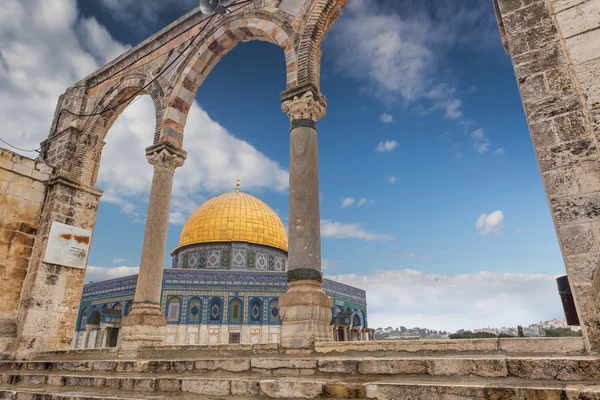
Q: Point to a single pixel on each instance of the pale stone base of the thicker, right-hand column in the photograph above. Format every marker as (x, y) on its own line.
(305, 315)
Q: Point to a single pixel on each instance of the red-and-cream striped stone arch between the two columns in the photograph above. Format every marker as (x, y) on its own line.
(219, 40)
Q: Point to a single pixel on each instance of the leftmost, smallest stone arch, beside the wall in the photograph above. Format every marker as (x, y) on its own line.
(92, 139)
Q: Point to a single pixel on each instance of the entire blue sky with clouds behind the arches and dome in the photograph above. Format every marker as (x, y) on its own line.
(429, 182)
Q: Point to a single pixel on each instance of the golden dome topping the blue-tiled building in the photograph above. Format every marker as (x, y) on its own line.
(235, 217)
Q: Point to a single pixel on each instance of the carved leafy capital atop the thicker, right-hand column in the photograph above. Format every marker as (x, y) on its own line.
(304, 103)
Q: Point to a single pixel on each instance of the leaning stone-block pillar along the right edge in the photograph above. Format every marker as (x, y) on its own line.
(555, 49)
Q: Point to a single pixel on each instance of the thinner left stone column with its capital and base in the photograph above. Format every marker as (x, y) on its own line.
(145, 325)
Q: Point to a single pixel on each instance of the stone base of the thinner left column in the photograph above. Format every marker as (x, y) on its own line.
(144, 326)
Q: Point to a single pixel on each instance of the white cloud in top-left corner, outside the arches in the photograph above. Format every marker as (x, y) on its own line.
(45, 47)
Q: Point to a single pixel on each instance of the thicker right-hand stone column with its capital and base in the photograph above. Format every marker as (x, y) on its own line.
(305, 308)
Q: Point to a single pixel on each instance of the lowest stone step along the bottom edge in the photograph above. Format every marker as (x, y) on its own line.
(311, 389)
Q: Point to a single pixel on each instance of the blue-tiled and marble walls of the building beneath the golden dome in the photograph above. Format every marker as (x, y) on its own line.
(204, 306)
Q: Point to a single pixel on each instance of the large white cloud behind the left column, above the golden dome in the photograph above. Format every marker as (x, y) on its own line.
(214, 159)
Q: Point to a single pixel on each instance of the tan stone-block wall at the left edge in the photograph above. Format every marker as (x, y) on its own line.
(22, 191)
